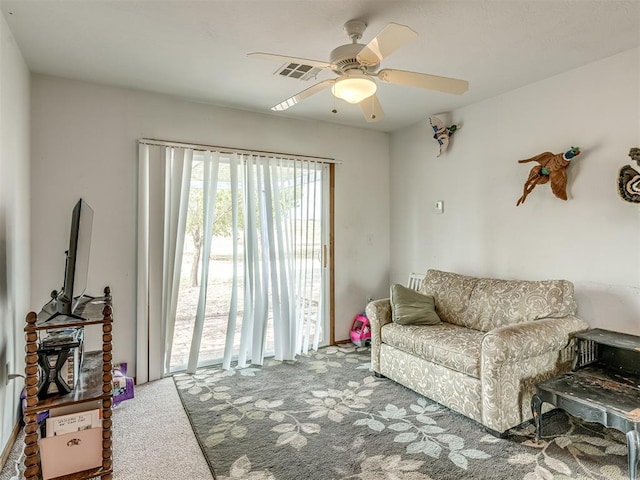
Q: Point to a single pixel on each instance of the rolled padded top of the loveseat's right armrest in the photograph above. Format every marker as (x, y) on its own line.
(531, 339)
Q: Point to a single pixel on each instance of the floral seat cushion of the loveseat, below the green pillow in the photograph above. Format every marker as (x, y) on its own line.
(451, 346)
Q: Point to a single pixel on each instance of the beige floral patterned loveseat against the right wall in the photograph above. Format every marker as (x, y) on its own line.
(496, 341)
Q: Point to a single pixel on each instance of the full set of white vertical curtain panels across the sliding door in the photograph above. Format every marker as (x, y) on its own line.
(275, 203)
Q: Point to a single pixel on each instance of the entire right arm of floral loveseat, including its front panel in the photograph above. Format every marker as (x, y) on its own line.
(517, 357)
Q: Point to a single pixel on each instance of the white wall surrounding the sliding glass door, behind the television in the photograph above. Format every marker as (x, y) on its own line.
(84, 145)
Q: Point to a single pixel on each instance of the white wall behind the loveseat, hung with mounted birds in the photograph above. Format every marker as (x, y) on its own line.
(592, 239)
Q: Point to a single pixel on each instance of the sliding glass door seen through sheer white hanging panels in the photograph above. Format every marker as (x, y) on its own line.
(255, 269)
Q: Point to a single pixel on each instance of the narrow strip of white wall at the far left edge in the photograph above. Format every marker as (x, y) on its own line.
(14, 223)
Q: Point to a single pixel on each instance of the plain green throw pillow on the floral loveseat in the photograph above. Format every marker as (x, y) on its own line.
(409, 307)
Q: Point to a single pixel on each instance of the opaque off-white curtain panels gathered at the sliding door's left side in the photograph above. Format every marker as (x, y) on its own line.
(162, 214)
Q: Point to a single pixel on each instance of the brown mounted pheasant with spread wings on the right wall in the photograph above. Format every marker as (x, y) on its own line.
(552, 167)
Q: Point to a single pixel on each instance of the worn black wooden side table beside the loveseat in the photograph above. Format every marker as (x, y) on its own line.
(603, 388)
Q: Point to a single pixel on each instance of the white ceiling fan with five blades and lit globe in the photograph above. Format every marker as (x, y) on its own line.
(357, 66)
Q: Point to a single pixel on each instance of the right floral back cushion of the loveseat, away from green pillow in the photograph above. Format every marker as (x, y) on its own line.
(498, 303)
